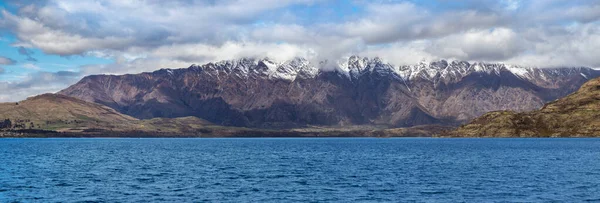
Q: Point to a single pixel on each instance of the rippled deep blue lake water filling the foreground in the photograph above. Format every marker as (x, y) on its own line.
(299, 169)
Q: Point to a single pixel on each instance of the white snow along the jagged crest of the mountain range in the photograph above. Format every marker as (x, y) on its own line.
(355, 66)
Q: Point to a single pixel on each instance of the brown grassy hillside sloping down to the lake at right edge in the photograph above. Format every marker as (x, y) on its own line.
(577, 114)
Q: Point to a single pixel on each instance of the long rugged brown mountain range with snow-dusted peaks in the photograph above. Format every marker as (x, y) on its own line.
(357, 91)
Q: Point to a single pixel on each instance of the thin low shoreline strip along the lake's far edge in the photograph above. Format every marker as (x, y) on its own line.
(254, 133)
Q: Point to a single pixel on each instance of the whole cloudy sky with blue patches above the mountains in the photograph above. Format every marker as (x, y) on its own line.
(45, 46)
